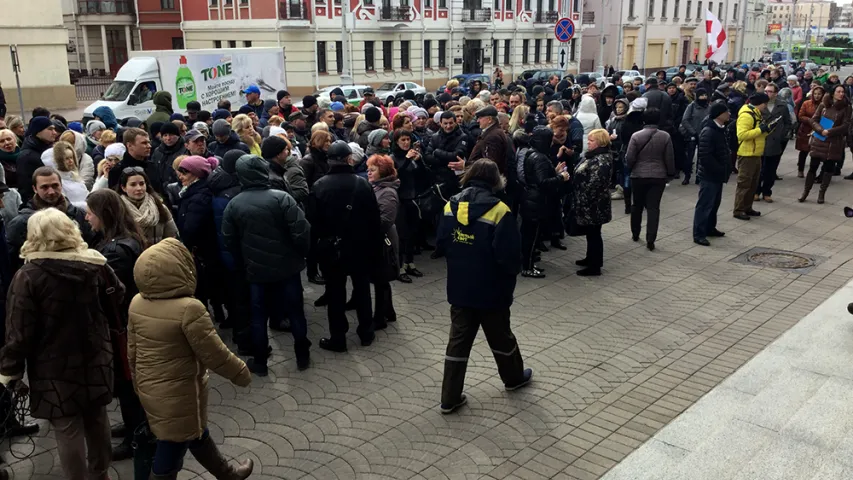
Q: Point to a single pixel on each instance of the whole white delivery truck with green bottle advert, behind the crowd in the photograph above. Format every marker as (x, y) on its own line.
(204, 75)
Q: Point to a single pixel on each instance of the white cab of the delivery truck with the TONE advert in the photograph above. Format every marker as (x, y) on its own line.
(130, 94)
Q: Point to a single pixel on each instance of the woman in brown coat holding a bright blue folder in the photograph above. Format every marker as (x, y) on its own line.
(835, 107)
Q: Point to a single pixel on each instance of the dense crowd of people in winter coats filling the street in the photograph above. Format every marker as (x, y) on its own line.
(121, 236)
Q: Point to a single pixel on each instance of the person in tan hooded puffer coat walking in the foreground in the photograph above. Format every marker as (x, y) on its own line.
(171, 345)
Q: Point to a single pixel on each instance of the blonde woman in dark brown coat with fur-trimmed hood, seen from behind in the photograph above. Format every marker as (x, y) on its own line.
(57, 330)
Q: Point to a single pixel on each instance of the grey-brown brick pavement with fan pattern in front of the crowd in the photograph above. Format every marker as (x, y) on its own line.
(615, 358)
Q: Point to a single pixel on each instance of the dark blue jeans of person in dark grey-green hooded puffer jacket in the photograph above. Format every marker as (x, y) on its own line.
(277, 301)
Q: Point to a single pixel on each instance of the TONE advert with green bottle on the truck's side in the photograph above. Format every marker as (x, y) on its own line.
(210, 77)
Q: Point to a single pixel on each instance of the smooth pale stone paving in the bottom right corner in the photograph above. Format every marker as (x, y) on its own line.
(786, 414)
